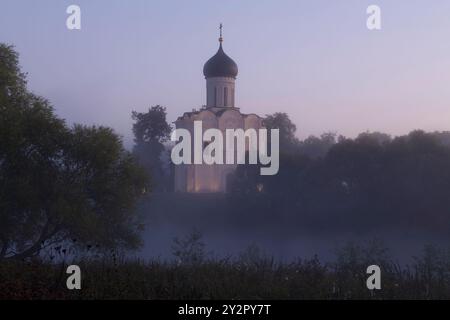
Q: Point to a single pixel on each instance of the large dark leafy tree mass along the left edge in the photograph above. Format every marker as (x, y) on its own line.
(59, 182)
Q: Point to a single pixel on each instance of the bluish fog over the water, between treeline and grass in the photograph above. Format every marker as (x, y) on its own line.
(167, 217)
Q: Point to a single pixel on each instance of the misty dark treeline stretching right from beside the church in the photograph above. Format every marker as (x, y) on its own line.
(356, 184)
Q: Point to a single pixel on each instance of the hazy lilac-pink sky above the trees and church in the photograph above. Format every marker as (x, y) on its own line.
(315, 60)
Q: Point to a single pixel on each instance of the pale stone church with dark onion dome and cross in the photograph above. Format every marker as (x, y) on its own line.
(220, 112)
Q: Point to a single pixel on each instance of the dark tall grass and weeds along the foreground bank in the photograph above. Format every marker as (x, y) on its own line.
(251, 275)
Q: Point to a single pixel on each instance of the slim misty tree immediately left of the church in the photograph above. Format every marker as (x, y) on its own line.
(151, 131)
